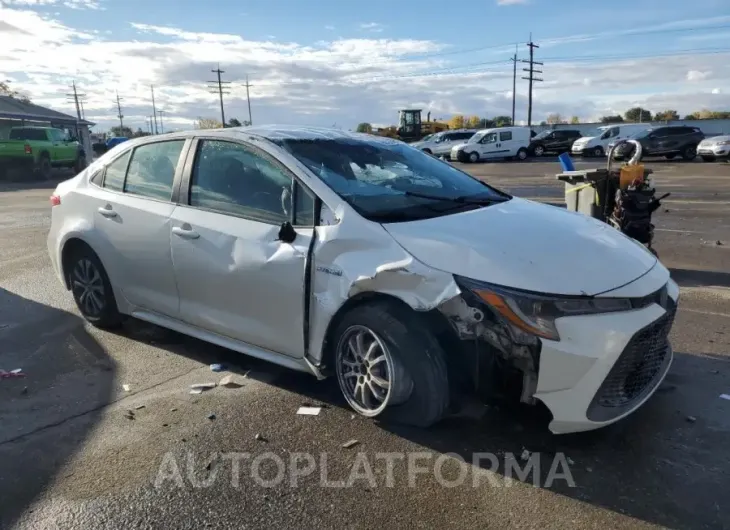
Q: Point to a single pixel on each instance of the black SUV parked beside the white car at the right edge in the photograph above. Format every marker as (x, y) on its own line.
(670, 141)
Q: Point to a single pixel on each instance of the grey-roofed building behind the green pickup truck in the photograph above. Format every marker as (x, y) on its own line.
(16, 113)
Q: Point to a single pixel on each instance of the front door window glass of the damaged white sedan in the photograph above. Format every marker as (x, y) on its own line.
(232, 178)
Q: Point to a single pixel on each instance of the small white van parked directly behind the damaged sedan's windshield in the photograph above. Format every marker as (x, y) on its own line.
(503, 142)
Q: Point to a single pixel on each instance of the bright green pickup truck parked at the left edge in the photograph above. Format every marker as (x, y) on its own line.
(39, 149)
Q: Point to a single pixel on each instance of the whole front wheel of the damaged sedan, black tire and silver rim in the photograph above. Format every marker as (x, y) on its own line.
(387, 369)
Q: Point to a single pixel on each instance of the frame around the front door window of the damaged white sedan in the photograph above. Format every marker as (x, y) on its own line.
(187, 179)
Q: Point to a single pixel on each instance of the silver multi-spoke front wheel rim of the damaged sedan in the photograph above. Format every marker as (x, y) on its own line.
(364, 370)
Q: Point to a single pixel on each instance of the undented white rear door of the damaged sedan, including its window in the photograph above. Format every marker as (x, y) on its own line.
(131, 213)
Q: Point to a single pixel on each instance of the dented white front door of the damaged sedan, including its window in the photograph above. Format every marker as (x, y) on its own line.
(235, 276)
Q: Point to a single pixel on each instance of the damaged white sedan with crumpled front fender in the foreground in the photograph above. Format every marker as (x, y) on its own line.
(360, 257)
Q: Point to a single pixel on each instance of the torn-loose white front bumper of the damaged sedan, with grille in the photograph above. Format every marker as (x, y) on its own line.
(602, 367)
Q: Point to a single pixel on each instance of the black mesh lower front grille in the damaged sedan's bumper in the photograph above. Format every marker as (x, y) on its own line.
(637, 369)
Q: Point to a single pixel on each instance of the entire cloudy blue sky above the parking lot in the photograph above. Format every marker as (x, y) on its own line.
(342, 62)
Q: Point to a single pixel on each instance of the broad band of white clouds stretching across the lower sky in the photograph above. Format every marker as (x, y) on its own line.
(337, 80)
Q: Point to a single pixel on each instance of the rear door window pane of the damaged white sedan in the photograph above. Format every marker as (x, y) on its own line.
(152, 169)
